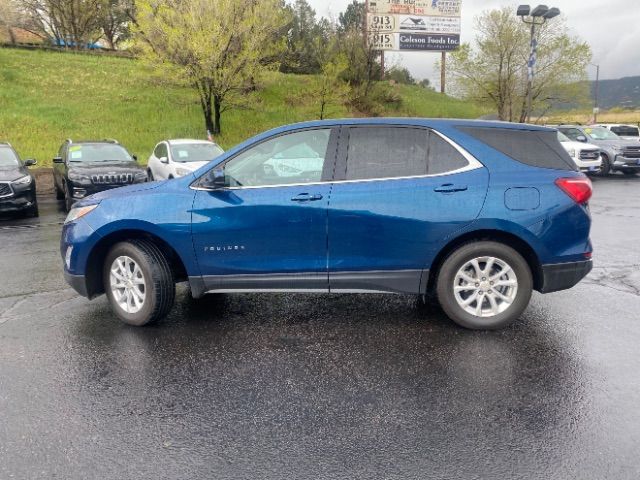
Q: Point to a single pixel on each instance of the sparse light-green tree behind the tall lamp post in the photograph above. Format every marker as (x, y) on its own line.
(494, 70)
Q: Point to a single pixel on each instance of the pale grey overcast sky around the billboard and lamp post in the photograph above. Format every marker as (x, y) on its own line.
(611, 27)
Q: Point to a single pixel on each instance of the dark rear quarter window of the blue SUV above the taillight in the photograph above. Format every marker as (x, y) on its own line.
(535, 148)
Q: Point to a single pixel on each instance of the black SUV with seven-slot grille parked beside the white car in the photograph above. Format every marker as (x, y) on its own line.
(87, 167)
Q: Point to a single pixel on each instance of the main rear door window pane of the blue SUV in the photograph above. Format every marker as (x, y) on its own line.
(386, 152)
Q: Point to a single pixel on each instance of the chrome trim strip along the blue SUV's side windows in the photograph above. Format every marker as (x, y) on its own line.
(473, 164)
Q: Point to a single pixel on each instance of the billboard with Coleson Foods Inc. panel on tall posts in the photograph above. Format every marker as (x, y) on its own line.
(414, 24)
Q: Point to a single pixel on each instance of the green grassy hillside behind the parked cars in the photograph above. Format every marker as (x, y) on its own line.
(46, 97)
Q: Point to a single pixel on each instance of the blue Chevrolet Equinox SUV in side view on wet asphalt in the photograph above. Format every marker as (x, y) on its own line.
(478, 213)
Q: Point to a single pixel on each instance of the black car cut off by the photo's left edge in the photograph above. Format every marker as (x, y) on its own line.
(17, 185)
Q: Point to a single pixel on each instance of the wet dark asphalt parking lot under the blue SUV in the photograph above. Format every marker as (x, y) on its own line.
(307, 387)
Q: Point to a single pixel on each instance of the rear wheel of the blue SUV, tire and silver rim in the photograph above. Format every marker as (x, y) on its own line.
(459, 264)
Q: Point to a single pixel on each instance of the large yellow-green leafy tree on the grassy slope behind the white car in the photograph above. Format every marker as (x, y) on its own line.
(220, 47)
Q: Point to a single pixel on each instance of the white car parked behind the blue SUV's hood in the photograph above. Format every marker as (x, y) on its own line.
(177, 158)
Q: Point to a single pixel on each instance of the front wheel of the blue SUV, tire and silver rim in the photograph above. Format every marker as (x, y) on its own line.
(158, 292)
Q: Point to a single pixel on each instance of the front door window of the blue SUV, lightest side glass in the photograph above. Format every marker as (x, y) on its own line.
(287, 159)
